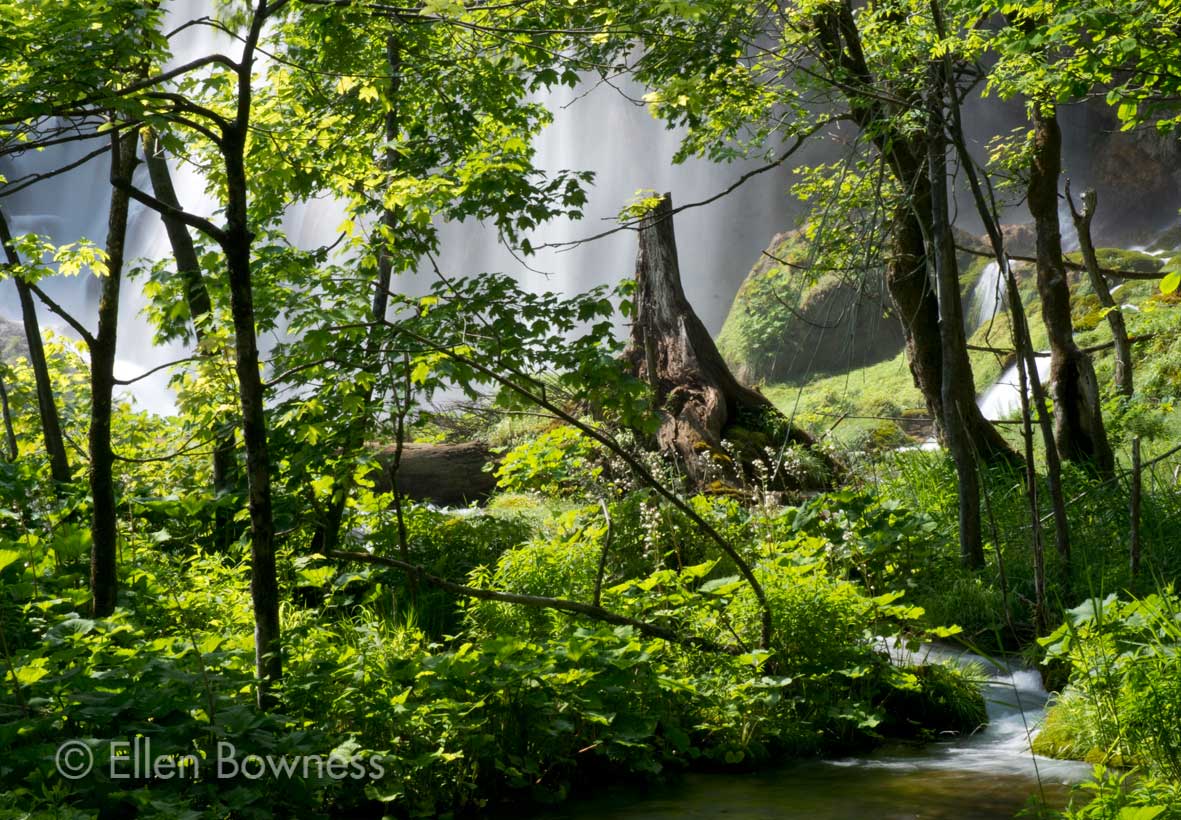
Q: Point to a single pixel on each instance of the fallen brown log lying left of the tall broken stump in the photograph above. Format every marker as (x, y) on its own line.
(445, 474)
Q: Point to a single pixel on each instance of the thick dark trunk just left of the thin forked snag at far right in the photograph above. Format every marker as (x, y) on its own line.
(1078, 420)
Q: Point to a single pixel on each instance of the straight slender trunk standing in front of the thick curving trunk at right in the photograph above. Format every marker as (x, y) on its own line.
(958, 391)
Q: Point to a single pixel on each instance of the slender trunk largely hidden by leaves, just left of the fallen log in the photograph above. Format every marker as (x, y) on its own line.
(328, 536)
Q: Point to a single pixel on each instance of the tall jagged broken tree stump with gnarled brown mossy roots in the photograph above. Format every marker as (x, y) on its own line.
(700, 401)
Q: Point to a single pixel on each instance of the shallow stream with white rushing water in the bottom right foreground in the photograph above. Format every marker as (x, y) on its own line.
(986, 777)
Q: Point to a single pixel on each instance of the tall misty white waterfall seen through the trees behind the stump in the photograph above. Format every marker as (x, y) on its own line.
(598, 129)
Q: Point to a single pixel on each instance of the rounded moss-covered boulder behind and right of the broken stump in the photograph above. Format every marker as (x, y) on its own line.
(788, 323)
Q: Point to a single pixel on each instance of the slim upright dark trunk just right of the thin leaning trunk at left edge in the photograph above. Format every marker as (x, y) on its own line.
(105, 519)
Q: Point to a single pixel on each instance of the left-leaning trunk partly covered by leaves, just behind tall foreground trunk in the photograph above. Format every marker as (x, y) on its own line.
(197, 295)
